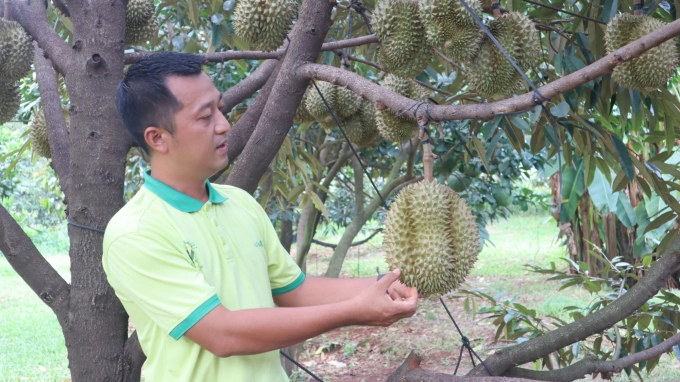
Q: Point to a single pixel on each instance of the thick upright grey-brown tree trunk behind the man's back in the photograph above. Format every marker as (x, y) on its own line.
(97, 328)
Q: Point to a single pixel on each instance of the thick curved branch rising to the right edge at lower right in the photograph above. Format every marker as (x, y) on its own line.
(595, 322)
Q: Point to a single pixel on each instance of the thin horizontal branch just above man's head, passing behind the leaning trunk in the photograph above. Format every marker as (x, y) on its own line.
(131, 58)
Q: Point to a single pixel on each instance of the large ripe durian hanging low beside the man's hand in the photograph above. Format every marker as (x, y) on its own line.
(431, 235)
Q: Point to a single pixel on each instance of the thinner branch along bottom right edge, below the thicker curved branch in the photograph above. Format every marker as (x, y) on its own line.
(592, 365)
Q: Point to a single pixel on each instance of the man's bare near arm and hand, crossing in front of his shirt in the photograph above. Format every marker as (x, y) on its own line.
(252, 331)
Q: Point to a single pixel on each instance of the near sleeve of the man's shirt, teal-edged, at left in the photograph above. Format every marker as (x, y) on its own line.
(160, 277)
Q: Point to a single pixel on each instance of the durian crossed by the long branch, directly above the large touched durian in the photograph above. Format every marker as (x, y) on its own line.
(393, 127)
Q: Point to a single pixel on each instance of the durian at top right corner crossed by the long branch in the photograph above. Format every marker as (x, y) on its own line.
(653, 68)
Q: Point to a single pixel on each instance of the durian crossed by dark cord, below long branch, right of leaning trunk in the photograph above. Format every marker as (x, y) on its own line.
(343, 102)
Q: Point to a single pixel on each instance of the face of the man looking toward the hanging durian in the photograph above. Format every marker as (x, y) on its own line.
(199, 143)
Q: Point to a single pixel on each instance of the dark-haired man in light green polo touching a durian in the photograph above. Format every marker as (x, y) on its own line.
(198, 267)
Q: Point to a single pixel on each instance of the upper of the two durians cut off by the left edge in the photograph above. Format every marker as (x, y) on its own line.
(16, 51)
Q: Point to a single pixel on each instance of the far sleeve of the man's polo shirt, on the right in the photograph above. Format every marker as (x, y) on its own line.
(284, 273)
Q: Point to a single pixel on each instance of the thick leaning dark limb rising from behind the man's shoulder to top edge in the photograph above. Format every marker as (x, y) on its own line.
(277, 117)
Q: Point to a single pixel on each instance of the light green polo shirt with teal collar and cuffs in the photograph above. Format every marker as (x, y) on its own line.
(171, 259)
